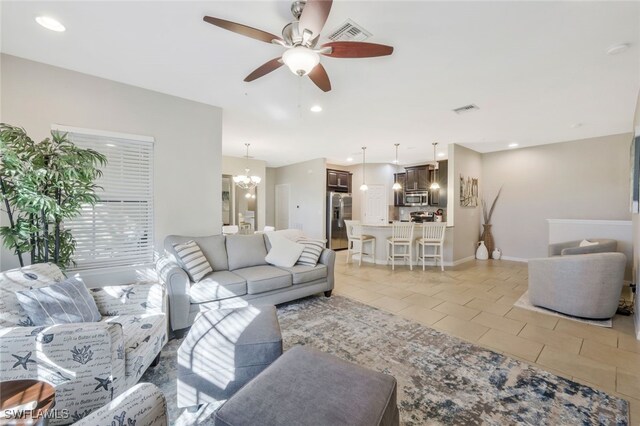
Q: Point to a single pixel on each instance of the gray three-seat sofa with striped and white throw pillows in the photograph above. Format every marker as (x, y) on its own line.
(240, 277)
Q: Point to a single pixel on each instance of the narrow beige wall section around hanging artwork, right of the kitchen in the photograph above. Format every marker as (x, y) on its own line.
(465, 220)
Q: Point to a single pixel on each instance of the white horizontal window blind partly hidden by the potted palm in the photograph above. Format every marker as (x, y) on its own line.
(118, 230)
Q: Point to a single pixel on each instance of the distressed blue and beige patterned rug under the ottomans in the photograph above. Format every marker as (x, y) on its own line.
(441, 379)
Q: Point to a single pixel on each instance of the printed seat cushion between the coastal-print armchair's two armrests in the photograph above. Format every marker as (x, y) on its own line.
(144, 337)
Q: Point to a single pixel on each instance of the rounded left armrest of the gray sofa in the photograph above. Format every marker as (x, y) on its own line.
(178, 284)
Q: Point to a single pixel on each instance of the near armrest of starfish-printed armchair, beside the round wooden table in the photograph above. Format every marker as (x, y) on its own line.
(85, 362)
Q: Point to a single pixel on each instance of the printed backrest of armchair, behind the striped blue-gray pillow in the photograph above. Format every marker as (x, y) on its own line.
(32, 276)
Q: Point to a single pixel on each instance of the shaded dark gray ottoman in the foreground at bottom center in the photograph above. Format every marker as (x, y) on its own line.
(308, 387)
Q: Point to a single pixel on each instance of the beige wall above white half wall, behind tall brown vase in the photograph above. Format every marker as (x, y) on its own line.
(583, 179)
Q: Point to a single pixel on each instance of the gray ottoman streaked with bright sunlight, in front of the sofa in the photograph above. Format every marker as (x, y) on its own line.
(224, 349)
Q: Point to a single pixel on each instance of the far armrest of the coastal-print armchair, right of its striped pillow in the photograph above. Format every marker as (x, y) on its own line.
(131, 299)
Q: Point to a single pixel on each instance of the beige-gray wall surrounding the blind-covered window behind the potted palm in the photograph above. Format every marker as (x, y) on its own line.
(188, 136)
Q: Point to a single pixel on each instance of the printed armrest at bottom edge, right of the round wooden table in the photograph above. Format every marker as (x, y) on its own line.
(143, 404)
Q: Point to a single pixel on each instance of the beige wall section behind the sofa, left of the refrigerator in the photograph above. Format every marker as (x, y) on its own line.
(307, 181)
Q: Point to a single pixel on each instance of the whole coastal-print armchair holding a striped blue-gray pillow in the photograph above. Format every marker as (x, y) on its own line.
(88, 363)
